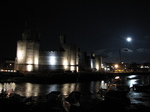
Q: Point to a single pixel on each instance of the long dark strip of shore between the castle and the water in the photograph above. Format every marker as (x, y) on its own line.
(59, 77)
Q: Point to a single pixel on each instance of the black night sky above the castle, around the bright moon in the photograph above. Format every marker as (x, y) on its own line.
(95, 26)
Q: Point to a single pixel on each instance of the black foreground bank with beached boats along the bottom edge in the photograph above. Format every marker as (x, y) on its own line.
(54, 102)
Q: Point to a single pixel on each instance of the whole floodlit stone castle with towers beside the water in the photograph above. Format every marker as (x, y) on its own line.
(29, 58)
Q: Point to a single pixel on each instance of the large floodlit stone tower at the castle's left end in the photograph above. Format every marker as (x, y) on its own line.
(27, 56)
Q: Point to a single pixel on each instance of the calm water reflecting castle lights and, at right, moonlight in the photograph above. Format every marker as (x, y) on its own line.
(88, 88)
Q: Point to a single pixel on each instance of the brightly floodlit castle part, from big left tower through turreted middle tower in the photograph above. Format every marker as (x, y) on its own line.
(31, 58)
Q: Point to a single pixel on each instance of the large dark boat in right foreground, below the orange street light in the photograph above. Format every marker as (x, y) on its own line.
(115, 92)
